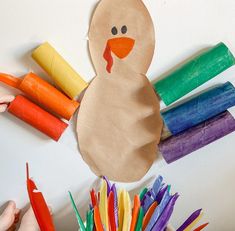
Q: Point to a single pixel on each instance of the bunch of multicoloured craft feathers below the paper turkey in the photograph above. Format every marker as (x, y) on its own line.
(111, 210)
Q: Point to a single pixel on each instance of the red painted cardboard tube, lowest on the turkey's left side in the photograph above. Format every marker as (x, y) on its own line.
(40, 119)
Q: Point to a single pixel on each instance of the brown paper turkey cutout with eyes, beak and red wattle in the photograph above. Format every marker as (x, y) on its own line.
(119, 123)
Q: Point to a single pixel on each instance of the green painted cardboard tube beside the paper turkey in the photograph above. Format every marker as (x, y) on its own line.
(194, 73)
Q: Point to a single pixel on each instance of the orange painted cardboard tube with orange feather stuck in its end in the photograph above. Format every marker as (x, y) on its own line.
(43, 93)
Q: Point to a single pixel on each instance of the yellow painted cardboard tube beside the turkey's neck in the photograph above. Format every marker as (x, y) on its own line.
(59, 70)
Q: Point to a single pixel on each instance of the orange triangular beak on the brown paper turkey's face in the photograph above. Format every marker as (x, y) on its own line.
(121, 47)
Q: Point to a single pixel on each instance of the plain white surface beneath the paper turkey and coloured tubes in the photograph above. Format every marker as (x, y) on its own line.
(204, 179)
